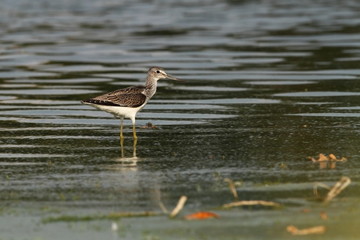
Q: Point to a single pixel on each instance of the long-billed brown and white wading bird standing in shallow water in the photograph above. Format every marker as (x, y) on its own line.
(127, 102)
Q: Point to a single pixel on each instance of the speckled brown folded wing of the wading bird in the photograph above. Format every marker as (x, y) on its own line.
(127, 97)
